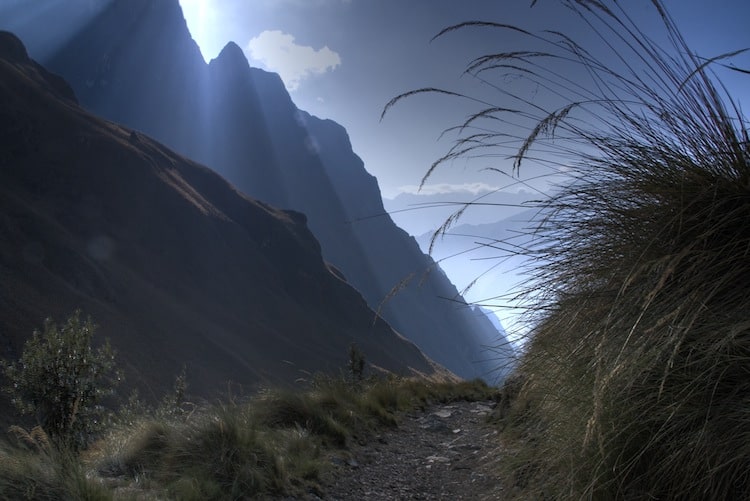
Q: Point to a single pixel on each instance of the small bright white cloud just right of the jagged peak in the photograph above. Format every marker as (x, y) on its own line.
(278, 52)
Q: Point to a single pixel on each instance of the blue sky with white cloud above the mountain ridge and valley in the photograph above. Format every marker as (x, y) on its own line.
(345, 59)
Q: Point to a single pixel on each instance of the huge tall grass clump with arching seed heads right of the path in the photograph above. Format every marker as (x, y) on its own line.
(635, 376)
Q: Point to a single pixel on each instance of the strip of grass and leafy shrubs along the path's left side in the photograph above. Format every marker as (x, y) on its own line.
(274, 443)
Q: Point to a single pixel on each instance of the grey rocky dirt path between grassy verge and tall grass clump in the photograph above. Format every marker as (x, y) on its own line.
(446, 452)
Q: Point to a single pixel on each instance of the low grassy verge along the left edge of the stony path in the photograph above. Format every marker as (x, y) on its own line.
(277, 443)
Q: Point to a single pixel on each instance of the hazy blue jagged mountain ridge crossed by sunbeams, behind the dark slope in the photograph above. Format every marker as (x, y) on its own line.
(133, 61)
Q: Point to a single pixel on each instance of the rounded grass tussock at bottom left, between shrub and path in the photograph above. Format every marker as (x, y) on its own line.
(217, 454)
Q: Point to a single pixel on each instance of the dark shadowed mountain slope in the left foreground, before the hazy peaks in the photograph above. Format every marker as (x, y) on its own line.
(174, 264)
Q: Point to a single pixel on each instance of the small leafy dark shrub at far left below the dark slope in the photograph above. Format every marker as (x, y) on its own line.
(61, 379)
